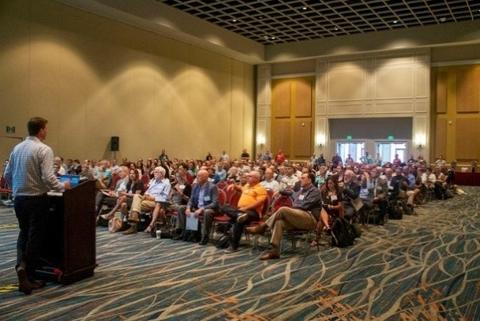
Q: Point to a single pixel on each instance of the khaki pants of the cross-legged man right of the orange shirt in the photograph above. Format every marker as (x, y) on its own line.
(286, 218)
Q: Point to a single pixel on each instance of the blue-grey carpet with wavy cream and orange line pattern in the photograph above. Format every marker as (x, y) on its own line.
(424, 267)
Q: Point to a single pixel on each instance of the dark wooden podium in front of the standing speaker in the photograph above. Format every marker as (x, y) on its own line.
(69, 253)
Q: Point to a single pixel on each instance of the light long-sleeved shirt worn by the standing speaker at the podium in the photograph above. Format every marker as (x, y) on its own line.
(30, 169)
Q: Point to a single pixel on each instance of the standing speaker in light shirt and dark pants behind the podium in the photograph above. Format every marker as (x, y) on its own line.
(31, 175)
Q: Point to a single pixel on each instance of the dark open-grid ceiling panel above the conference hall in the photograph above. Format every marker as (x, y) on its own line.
(284, 21)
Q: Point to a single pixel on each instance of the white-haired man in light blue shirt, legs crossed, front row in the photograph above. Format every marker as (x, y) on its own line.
(157, 193)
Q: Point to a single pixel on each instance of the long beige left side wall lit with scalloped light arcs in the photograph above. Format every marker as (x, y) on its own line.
(94, 78)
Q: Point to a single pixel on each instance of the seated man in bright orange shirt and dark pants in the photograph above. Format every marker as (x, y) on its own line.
(250, 206)
